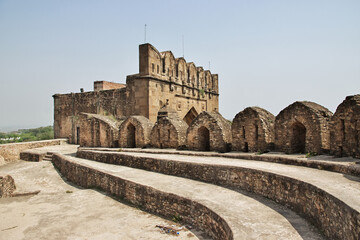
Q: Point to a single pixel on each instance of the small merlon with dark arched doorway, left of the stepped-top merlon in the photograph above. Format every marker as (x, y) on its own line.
(135, 132)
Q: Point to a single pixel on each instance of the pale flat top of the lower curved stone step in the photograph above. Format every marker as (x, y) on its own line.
(248, 218)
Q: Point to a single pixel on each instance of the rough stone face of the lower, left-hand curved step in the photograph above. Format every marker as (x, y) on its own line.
(145, 197)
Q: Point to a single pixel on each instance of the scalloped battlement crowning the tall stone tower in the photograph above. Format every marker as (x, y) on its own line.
(164, 66)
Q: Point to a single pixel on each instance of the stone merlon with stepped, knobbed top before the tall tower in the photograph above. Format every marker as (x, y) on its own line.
(169, 130)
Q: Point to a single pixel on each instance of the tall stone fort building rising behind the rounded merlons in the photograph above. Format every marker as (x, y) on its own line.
(162, 80)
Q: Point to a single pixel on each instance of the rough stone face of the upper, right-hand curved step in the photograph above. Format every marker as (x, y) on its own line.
(336, 219)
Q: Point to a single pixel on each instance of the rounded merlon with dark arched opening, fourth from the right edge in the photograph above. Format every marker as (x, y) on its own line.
(209, 132)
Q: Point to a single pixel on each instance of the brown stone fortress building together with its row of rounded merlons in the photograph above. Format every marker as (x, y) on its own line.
(174, 104)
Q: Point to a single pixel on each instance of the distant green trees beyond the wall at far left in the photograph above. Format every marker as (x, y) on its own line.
(27, 135)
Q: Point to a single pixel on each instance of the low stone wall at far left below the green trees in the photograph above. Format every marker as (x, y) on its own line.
(10, 152)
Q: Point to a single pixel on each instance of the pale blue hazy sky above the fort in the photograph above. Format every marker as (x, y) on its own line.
(267, 53)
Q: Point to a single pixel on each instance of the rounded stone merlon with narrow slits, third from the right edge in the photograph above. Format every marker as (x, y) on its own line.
(253, 130)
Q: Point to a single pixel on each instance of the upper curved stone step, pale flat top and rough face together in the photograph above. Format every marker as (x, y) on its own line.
(328, 199)
